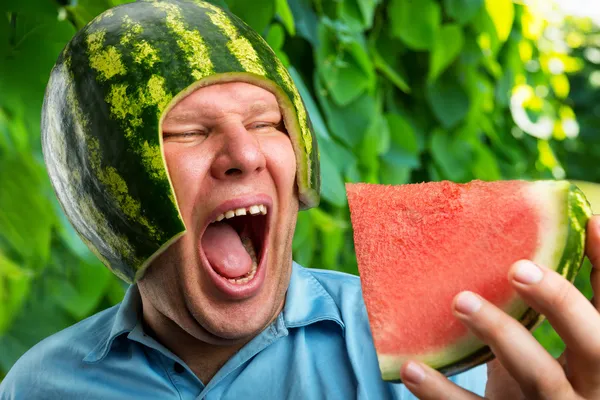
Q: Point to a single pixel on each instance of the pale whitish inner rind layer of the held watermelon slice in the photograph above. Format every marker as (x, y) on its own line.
(552, 199)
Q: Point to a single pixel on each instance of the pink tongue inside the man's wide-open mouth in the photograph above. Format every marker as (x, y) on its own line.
(225, 252)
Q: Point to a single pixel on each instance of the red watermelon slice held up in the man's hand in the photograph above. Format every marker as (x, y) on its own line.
(419, 245)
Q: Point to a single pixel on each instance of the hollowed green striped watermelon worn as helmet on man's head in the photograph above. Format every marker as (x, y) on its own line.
(106, 98)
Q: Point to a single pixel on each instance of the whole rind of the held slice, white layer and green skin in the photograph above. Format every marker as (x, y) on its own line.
(562, 249)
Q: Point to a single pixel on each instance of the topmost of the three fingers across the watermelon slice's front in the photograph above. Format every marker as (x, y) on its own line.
(572, 316)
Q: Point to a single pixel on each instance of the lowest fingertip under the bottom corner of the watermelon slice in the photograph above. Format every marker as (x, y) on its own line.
(428, 384)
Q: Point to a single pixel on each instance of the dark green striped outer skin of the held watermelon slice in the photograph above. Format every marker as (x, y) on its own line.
(579, 212)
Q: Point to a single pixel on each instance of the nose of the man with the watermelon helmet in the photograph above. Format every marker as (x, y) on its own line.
(239, 154)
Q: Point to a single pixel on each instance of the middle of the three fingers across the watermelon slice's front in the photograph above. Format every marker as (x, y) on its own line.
(539, 375)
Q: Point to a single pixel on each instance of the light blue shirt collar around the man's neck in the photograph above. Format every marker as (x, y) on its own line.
(306, 302)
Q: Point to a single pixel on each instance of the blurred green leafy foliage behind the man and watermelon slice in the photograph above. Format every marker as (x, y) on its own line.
(398, 91)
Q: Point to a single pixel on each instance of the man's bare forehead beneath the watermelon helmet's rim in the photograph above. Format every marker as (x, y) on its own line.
(218, 99)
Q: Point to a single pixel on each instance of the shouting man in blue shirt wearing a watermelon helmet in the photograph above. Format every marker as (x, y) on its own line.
(220, 310)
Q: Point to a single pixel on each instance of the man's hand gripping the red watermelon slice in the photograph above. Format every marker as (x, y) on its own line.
(523, 369)
